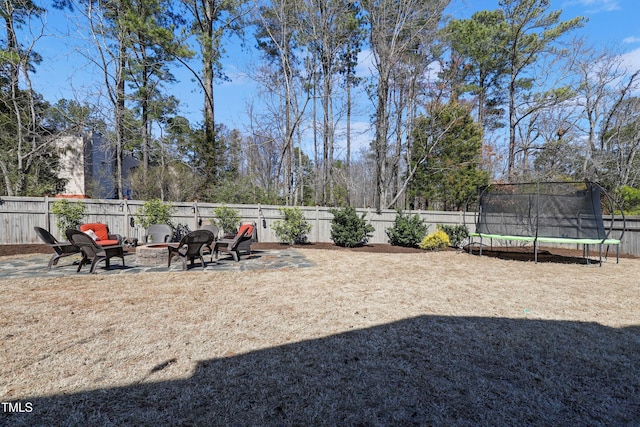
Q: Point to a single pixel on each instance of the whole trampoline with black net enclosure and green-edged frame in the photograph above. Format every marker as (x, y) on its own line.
(549, 212)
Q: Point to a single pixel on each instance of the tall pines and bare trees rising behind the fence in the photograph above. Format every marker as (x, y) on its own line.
(446, 104)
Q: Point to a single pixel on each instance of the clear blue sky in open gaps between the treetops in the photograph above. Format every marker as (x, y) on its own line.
(612, 24)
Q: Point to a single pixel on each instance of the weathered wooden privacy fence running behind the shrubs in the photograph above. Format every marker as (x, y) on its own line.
(18, 216)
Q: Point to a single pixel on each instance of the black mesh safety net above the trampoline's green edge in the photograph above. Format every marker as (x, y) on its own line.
(551, 209)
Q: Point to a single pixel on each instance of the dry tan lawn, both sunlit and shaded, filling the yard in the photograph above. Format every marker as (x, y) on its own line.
(360, 339)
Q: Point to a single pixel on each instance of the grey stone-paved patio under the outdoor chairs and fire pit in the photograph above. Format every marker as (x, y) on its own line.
(35, 265)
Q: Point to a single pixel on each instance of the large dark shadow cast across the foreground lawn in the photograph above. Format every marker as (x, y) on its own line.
(427, 370)
